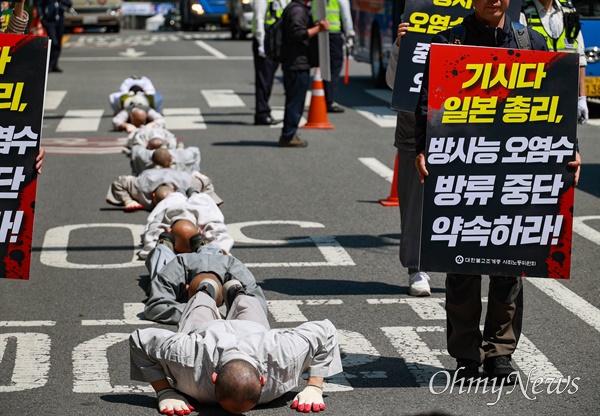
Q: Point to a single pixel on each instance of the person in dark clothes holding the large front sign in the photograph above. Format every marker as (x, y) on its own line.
(487, 26)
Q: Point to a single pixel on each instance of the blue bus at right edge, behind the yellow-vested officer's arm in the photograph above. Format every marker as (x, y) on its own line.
(589, 15)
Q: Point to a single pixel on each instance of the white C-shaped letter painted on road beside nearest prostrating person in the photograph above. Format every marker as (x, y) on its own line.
(90, 367)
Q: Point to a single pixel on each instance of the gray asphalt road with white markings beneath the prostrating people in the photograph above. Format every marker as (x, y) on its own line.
(306, 221)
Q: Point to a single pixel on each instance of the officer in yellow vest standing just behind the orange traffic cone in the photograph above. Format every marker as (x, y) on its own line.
(340, 21)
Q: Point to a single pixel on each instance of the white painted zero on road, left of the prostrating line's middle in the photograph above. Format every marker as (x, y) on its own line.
(56, 241)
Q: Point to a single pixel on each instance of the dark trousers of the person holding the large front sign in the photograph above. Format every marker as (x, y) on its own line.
(503, 321)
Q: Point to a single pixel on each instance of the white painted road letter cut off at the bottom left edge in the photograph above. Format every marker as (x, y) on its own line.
(31, 361)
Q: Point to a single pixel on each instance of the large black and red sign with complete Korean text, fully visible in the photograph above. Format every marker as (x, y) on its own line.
(501, 129)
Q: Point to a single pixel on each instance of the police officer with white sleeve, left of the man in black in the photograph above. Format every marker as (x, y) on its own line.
(265, 14)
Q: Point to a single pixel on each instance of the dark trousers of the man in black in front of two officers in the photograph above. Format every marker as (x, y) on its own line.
(296, 86)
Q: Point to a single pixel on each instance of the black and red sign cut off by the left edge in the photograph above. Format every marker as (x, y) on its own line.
(23, 71)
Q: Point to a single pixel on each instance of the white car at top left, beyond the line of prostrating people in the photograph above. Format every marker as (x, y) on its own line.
(94, 16)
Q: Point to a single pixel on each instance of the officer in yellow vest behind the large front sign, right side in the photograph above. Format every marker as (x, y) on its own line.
(558, 22)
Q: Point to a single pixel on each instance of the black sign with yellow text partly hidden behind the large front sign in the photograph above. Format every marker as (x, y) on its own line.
(426, 19)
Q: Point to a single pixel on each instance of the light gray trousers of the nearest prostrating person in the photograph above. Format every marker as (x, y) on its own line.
(202, 308)
